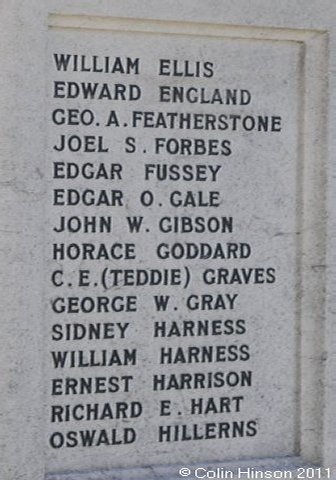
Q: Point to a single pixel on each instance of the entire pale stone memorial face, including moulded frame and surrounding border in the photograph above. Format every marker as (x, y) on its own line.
(277, 187)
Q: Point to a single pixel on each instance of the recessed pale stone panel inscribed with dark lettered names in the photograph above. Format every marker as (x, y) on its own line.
(173, 166)
